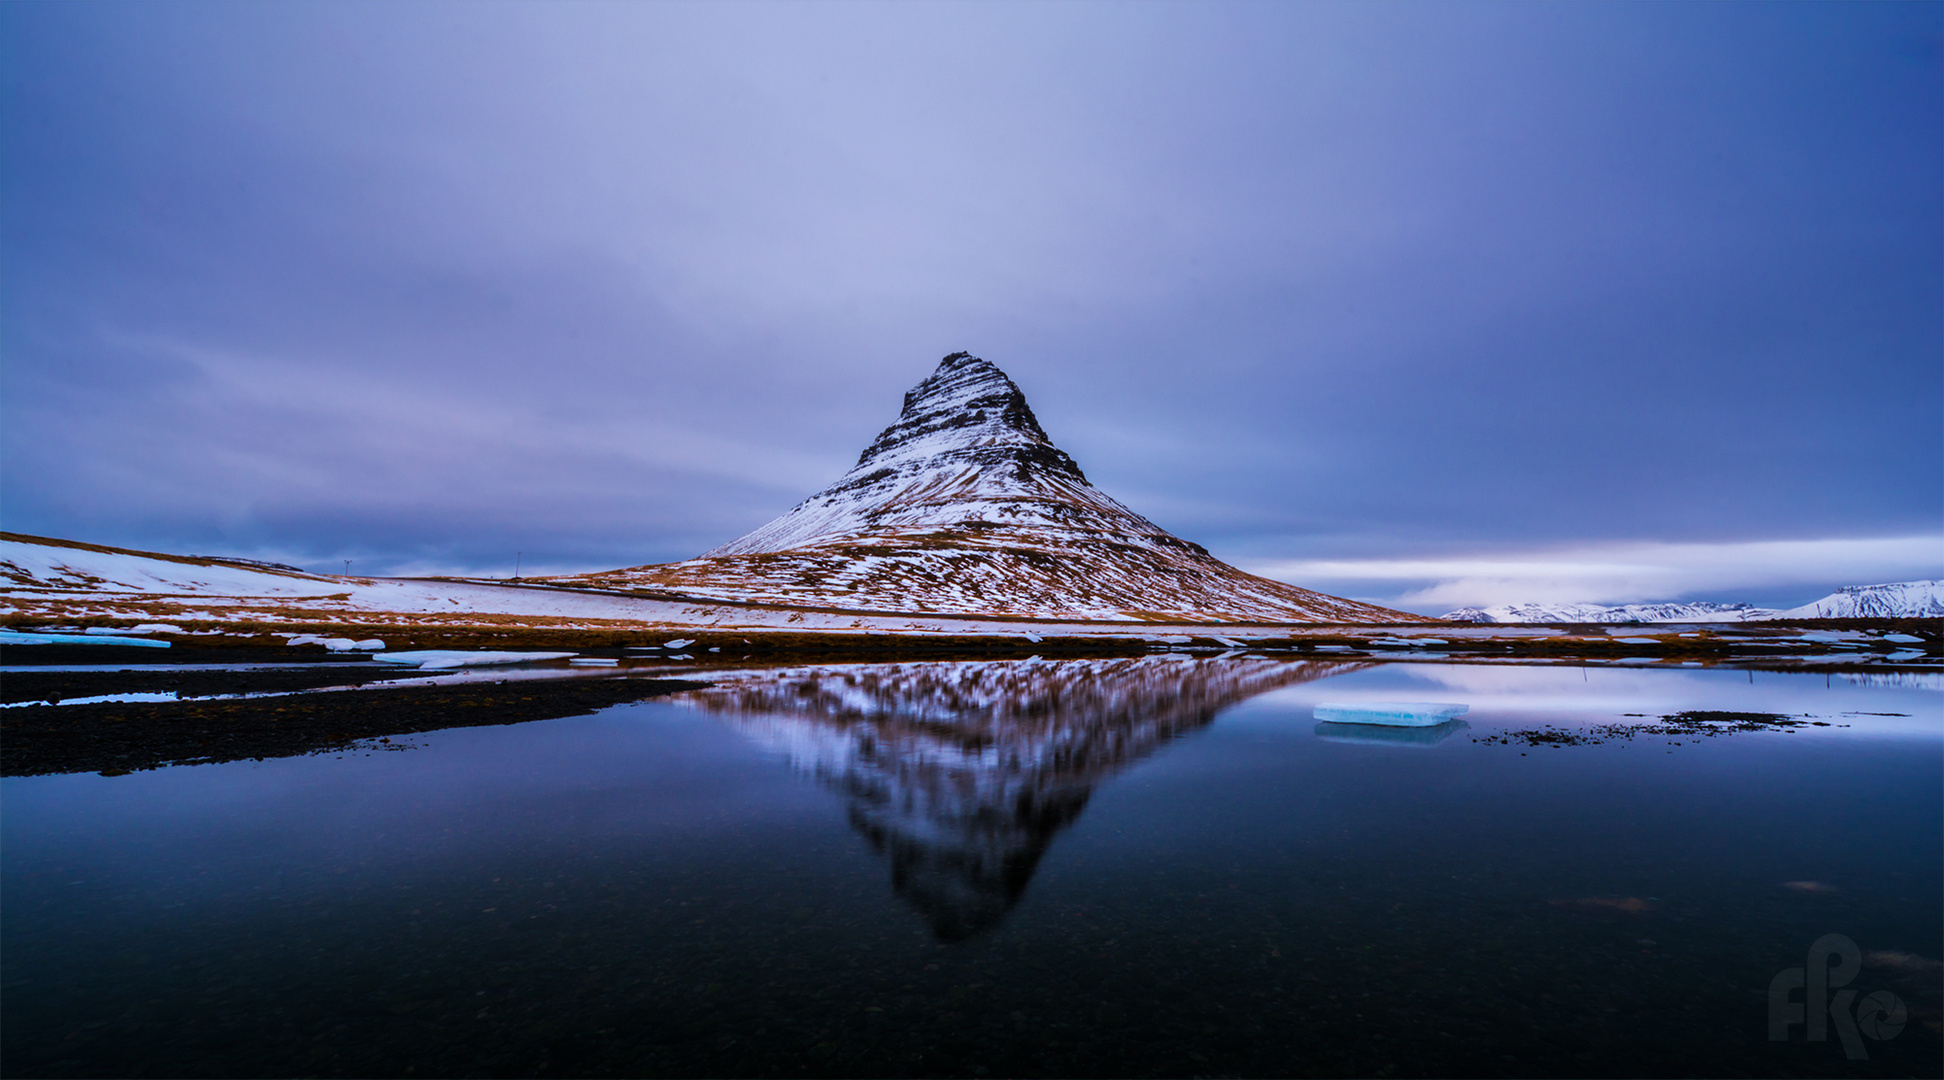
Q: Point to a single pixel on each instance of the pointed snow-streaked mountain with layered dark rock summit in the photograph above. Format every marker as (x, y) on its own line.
(967, 508)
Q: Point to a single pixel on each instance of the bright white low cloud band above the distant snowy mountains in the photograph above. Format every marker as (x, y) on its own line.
(1778, 574)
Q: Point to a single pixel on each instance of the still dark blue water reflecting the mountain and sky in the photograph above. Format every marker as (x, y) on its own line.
(1121, 867)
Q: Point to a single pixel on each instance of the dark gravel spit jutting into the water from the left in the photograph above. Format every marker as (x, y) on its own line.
(116, 739)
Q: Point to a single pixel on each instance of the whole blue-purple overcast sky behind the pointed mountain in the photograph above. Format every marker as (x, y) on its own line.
(1428, 304)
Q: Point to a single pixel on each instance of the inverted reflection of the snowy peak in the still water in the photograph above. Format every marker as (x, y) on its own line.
(963, 772)
